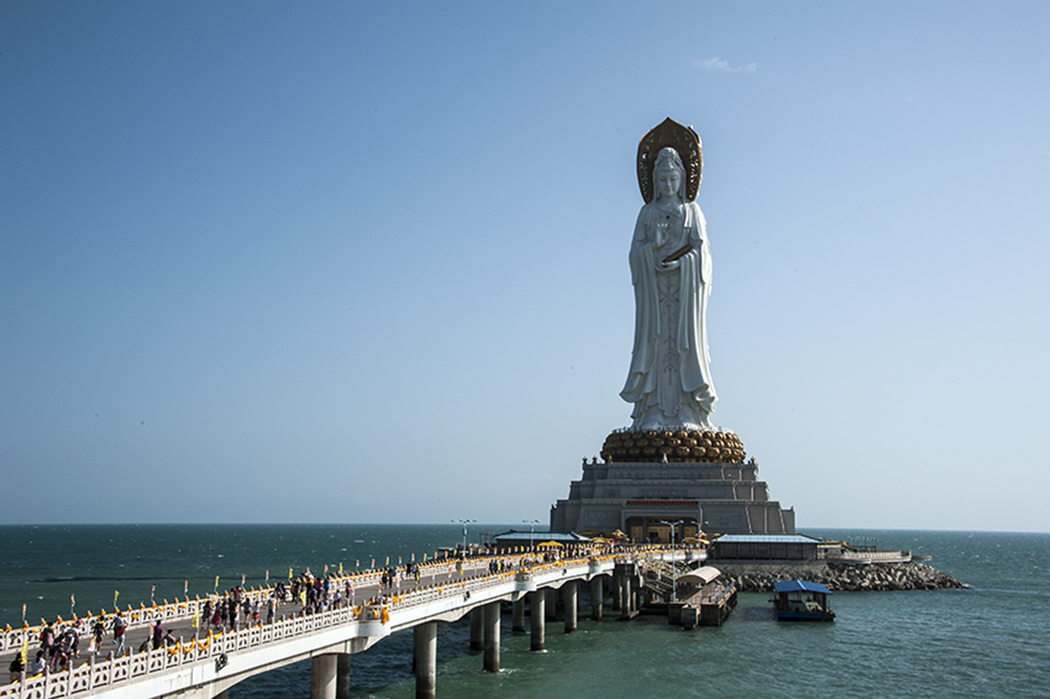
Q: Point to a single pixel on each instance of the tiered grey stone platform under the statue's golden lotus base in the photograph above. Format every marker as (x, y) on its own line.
(637, 497)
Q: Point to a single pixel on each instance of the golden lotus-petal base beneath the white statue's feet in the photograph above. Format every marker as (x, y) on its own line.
(679, 446)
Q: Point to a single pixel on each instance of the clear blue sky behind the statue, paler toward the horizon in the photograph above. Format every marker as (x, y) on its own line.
(368, 262)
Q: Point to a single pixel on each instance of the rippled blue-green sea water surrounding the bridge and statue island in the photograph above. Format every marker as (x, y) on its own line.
(992, 640)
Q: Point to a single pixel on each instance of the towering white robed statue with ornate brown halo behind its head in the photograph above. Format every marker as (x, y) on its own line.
(669, 382)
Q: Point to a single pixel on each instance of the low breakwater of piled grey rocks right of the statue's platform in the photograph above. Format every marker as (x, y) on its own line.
(760, 578)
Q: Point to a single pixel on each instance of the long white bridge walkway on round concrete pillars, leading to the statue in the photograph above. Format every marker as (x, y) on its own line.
(205, 665)
